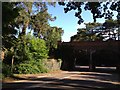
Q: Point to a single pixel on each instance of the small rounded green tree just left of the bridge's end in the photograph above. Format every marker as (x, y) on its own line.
(52, 36)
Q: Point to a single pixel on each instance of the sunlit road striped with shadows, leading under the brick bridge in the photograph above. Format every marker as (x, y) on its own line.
(68, 80)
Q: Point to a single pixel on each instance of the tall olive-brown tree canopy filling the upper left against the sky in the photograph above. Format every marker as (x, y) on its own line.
(23, 16)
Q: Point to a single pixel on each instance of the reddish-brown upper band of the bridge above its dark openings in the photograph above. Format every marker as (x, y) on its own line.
(93, 45)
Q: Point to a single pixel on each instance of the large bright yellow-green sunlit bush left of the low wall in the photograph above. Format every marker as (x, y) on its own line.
(30, 54)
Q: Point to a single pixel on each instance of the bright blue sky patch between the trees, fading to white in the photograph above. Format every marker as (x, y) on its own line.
(68, 22)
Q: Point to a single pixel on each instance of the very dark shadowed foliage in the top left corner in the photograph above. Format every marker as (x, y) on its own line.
(8, 19)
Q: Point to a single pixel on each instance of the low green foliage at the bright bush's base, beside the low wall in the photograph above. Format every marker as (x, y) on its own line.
(32, 67)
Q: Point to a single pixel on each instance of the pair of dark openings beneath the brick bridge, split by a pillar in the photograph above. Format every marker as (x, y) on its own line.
(101, 59)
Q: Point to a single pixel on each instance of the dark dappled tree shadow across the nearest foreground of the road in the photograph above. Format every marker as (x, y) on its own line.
(56, 84)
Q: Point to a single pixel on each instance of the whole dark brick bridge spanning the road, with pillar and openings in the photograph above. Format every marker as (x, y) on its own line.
(95, 53)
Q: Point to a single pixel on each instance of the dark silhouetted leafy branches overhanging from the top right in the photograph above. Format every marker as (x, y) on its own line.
(98, 9)
